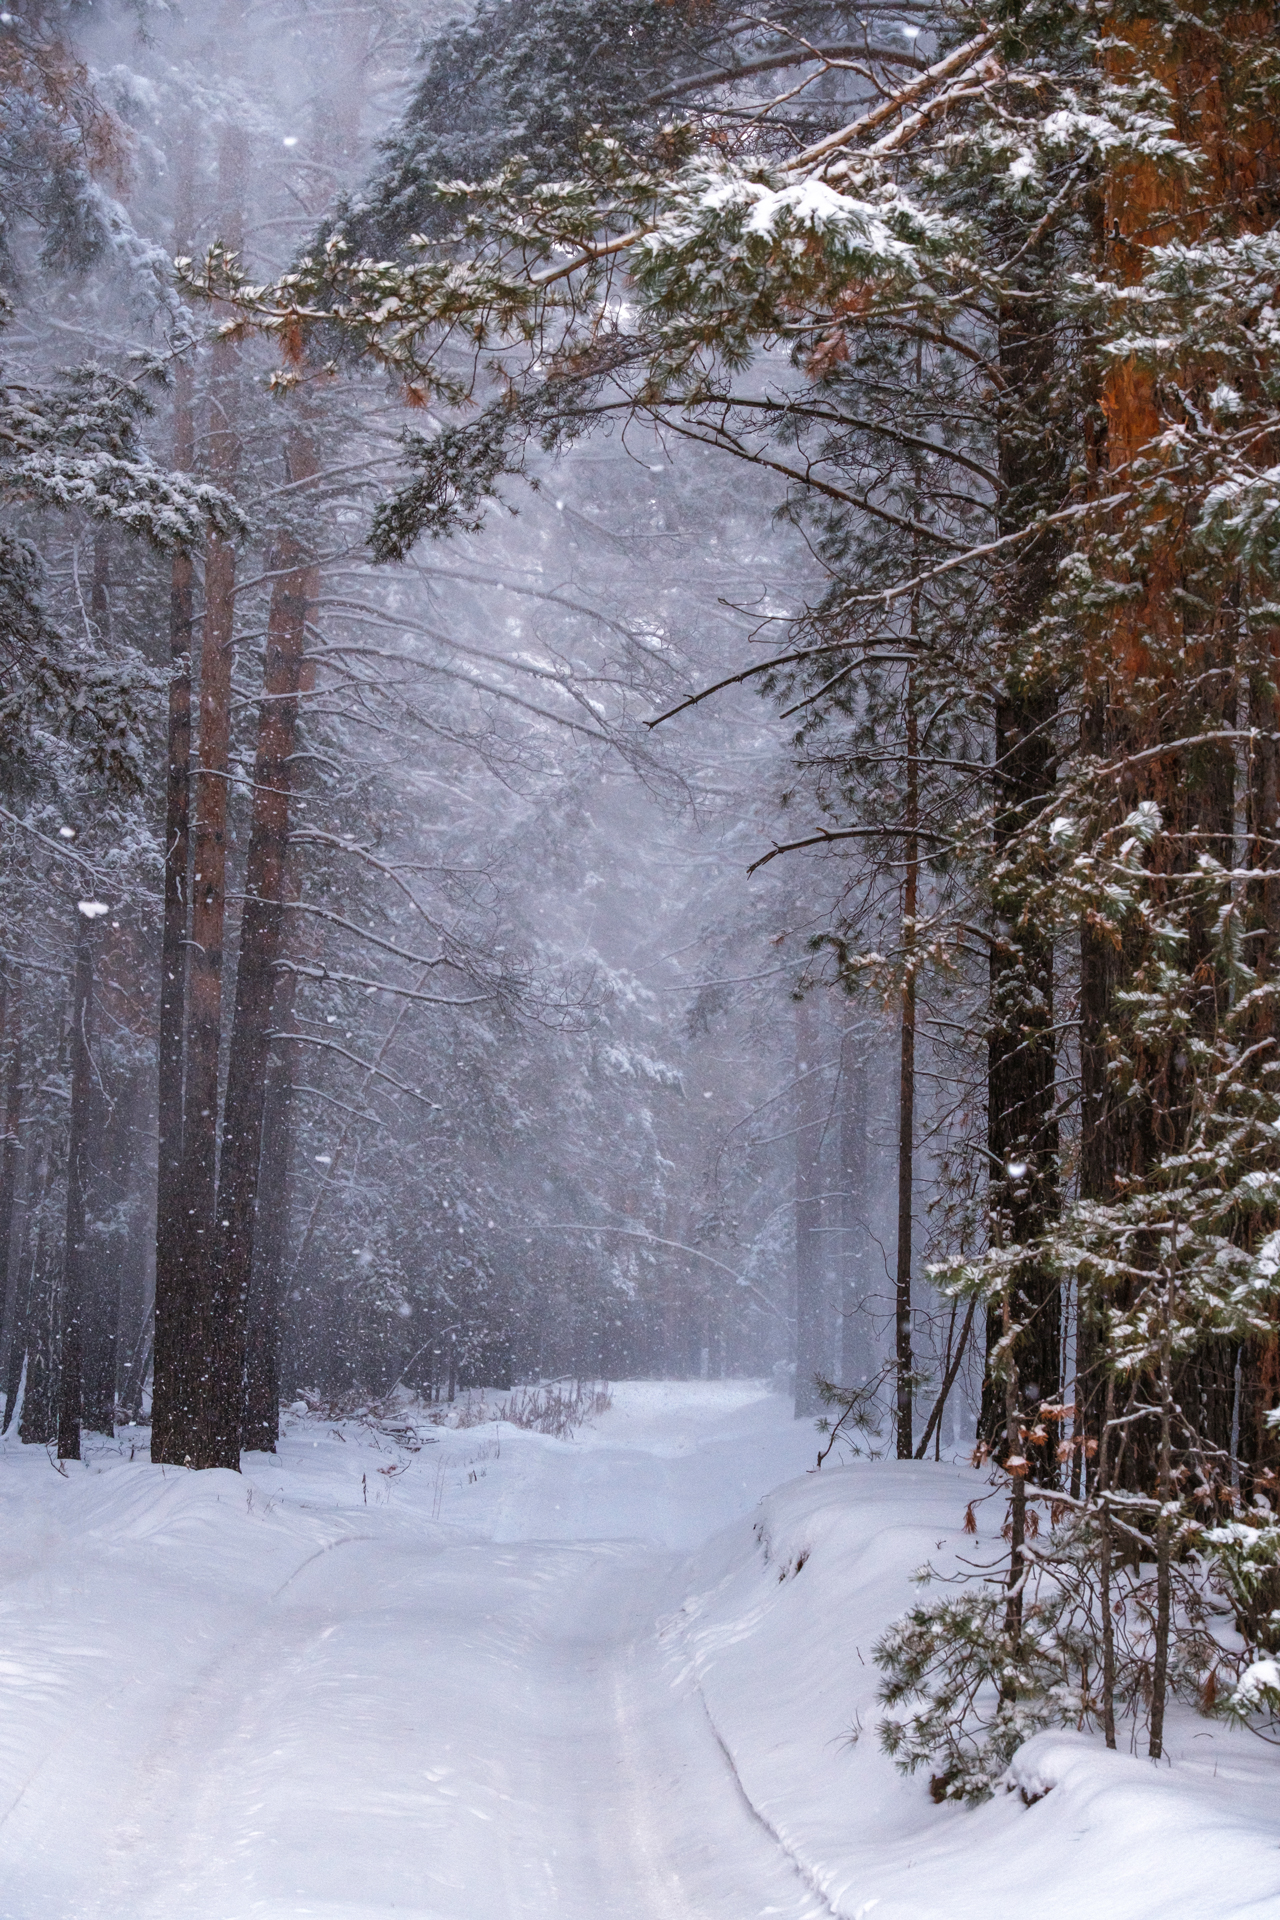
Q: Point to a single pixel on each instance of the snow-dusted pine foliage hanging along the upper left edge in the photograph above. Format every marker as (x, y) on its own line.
(74, 443)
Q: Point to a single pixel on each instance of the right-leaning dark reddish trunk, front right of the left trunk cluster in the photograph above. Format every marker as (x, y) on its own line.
(260, 953)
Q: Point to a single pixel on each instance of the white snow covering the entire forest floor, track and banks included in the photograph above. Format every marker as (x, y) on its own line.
(510, 1679)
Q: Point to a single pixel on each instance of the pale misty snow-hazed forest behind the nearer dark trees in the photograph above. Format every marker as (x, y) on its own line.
(650, 1105)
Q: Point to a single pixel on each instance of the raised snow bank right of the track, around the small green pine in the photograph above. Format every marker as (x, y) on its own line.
(776, 1637)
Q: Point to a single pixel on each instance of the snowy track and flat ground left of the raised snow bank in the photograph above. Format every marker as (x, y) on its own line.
(291, 1704)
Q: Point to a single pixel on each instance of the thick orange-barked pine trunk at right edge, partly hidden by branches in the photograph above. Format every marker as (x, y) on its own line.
(1168, 665)
